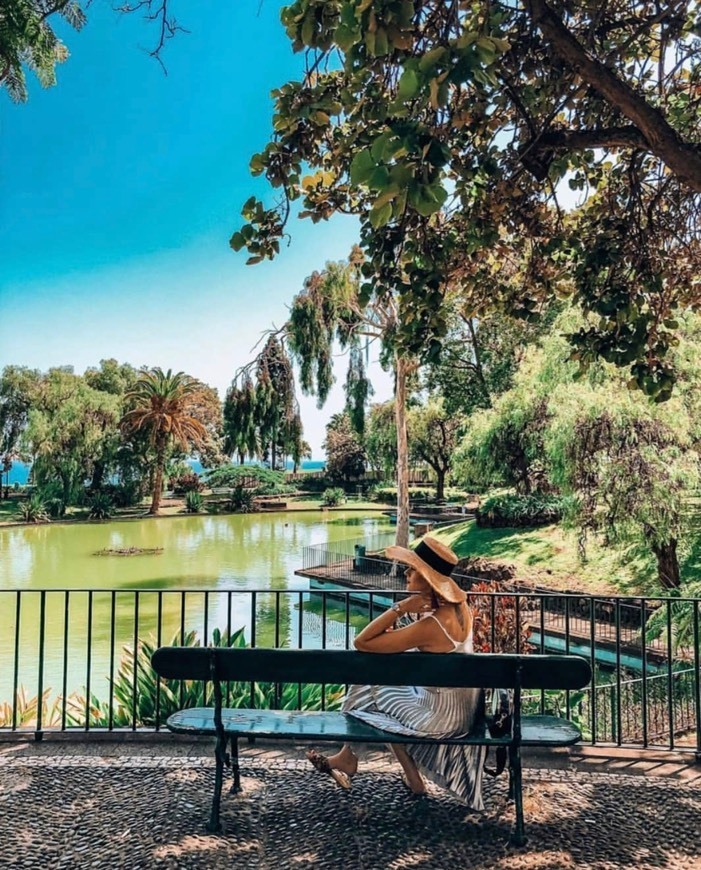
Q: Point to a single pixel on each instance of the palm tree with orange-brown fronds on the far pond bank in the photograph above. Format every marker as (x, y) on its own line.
(159, 406)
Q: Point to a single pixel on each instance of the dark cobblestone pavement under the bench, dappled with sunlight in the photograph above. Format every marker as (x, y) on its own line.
(123, 808)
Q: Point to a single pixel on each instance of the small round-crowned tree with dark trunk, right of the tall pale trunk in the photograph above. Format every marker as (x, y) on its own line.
(433, 438)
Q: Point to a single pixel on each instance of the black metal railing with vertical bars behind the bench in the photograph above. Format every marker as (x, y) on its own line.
(68, 662)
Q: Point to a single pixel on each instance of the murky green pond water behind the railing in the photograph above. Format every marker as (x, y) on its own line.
(113, 599)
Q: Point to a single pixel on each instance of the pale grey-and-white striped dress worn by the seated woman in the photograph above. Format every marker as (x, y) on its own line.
(426, 711)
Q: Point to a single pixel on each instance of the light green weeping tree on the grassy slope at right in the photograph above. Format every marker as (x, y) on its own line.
(629, 467)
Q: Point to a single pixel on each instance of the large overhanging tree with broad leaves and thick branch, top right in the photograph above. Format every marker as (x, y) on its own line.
(450, 129)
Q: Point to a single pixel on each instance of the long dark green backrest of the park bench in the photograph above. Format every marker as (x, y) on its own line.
(481, 670)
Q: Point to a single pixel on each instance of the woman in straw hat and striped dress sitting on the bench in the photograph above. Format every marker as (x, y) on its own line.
(443, 624)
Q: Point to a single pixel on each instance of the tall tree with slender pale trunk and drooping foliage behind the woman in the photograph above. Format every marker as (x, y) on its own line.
(335, 306)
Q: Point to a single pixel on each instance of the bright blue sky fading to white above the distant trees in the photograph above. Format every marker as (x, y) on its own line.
(120, 187)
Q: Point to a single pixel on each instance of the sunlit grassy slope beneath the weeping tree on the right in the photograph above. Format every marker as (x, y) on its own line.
(547, 556)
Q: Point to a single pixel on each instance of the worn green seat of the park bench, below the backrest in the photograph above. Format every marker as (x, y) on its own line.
(337, 727)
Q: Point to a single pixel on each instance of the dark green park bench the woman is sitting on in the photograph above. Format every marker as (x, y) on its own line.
(220, 665)
